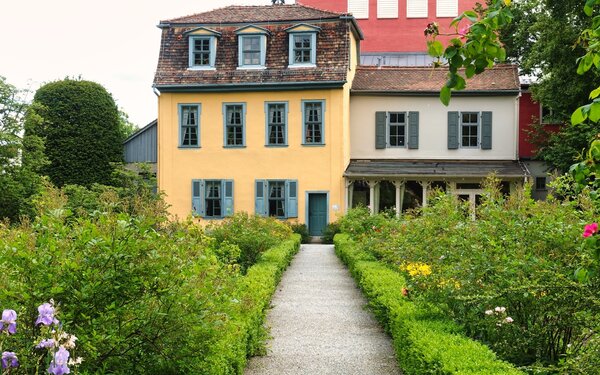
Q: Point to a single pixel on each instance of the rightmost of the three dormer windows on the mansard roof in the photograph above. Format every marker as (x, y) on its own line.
(303, 45)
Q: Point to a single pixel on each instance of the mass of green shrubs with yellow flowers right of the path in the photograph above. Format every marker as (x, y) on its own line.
(518, 254)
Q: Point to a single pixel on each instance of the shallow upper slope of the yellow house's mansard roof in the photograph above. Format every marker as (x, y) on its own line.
(250, 14)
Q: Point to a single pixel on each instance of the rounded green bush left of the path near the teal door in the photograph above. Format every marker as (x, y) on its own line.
(252, 234)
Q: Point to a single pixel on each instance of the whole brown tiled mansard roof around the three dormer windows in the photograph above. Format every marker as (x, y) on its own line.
(333, 48)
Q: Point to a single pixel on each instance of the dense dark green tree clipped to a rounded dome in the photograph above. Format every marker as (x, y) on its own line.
(82, 132)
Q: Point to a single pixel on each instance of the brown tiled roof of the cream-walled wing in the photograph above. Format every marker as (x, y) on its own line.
(503, 77)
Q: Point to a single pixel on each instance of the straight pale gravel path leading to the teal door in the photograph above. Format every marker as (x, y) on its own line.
(320, 325)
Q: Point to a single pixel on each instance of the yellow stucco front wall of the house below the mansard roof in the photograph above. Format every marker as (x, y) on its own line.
(317, 168)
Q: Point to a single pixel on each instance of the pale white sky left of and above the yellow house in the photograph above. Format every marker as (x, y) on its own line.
(112, 42)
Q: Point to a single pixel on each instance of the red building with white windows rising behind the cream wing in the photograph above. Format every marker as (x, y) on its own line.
(396, 25)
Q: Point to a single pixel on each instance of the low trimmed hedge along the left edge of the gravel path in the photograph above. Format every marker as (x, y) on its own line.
(246, 336)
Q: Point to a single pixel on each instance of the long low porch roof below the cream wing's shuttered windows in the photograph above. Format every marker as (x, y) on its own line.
(394, 168)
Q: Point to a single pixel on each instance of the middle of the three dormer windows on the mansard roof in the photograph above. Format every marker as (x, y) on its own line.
(252, 51)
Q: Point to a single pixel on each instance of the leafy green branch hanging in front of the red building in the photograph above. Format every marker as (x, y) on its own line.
(474, 47)
